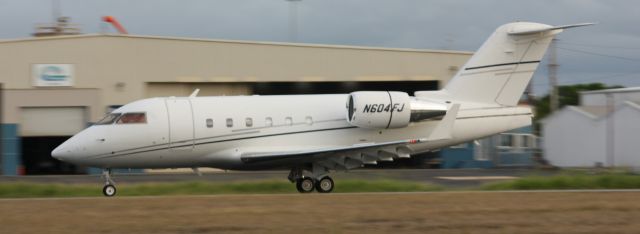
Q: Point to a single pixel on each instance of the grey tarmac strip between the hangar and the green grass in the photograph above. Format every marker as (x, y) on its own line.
(446, 177)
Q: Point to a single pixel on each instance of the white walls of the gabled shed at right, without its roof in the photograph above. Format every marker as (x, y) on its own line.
(573, 139)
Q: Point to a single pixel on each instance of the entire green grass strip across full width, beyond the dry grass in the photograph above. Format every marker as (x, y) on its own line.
(571, 179)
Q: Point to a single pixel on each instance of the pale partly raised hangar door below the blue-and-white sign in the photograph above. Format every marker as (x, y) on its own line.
(52, 121)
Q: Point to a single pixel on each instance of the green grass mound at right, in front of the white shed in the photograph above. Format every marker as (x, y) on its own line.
(571, 180)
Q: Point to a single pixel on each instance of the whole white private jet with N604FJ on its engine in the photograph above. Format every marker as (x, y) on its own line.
(316, 134)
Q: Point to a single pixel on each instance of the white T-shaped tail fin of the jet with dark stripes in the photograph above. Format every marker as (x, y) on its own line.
(503, 66)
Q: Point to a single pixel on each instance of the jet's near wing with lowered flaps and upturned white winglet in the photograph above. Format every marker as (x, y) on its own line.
(348, 157)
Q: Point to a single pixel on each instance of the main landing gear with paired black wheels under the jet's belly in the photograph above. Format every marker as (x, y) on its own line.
(307, 181)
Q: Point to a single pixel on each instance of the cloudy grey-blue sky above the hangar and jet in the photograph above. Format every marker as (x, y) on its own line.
(608, 52)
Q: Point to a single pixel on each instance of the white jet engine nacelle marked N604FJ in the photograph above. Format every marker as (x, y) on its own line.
(388, 109)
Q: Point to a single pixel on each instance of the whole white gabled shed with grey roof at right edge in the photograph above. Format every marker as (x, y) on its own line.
(601, 131)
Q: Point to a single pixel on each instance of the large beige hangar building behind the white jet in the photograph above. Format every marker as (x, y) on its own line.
(55, 86)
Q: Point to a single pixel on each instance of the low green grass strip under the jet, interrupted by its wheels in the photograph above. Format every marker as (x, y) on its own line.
(24, 190)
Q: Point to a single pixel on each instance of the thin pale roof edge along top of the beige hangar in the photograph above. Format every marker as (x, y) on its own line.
(232, 42)
